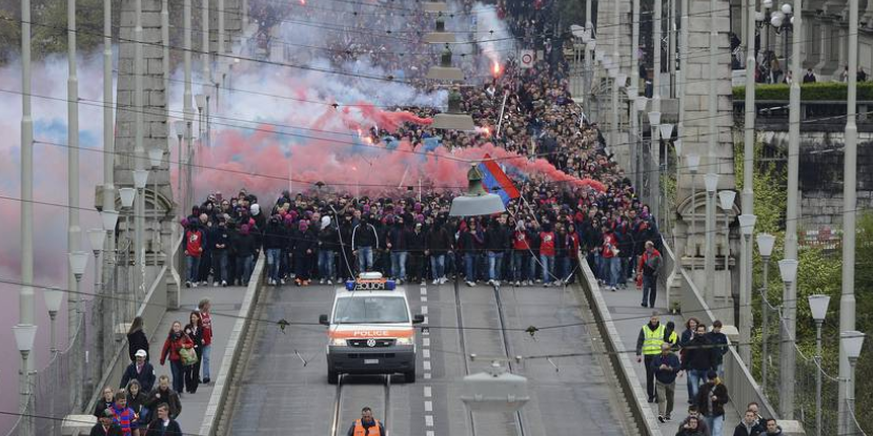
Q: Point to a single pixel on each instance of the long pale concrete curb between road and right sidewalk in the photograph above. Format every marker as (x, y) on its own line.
(643, 416)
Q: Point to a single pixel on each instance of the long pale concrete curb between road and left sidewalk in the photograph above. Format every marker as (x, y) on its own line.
(233, 352)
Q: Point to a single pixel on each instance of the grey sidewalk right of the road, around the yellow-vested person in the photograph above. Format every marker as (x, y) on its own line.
(629, 317)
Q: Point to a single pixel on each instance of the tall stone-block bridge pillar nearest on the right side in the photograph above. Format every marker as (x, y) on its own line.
(695, 140)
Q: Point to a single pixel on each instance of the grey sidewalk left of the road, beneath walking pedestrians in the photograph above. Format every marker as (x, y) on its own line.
(225, 301)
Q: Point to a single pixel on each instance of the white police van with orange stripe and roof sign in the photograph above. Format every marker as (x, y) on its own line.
(370, 329)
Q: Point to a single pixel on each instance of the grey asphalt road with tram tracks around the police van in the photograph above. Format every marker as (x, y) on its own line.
(284, 387)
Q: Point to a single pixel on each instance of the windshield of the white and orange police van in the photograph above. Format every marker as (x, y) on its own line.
(370, 310)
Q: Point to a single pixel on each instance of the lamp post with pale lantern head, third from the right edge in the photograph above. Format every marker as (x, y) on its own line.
(788, 270)
